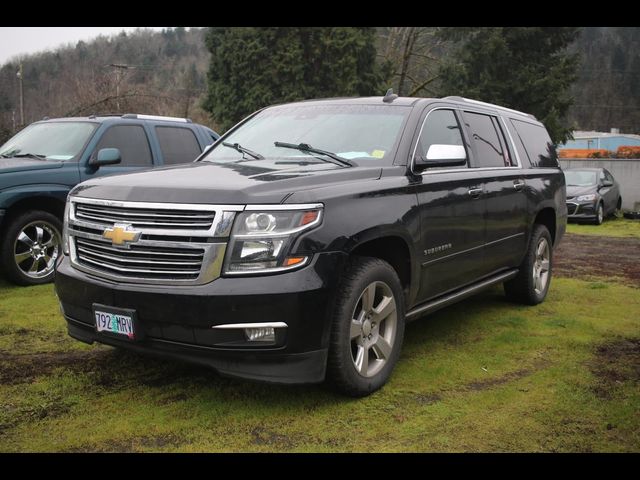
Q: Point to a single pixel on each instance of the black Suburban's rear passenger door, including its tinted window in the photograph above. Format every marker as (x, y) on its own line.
(497, 169)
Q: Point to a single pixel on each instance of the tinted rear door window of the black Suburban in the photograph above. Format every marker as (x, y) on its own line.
(485, 134)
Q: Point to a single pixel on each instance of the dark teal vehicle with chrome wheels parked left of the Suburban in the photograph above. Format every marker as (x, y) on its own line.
(43, 162)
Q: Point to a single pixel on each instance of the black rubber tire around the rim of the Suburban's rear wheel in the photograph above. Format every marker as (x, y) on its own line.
(522, 288)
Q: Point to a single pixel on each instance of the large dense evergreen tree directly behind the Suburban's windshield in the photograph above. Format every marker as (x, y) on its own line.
(251, 68)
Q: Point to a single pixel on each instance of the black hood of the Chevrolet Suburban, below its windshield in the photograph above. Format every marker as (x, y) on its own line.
(263, 181)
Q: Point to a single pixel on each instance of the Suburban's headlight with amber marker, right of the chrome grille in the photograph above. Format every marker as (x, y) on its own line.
(261, 239)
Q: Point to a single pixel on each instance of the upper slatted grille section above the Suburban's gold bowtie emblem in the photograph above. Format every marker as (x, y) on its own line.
(141, 217)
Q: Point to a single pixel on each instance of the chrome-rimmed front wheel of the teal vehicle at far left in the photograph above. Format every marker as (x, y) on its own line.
(30, 247)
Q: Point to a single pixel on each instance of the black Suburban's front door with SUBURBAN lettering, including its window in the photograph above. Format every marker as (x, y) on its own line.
(451, 211)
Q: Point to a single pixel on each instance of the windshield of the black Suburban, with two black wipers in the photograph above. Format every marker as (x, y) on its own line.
(363, 133)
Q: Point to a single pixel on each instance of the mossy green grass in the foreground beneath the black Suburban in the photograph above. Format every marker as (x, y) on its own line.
(484, 375)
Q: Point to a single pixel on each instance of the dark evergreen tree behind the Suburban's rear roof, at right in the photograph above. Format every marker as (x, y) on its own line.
(525, 68)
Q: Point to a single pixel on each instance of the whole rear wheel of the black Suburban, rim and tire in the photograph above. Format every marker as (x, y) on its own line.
(531, 284)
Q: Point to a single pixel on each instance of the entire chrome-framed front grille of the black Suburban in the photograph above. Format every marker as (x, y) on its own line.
(179, 244)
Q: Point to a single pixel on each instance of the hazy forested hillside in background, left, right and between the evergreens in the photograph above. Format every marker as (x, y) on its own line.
(164, 73)
